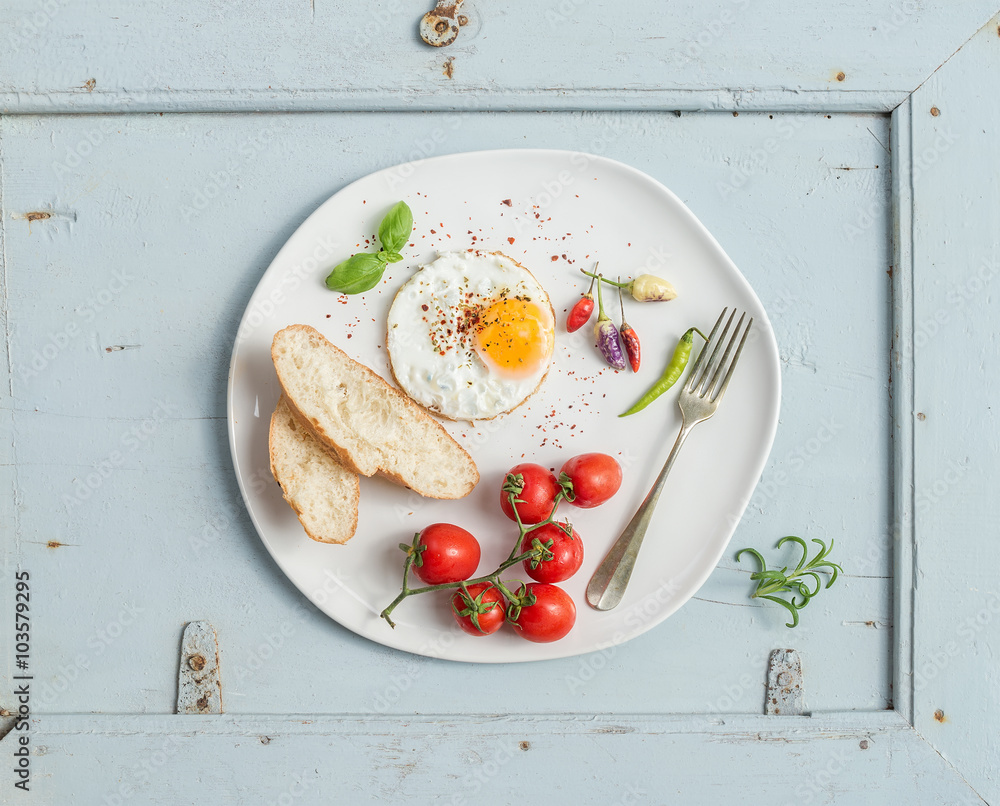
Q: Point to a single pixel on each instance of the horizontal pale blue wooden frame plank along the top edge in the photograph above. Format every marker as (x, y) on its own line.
(331, 54)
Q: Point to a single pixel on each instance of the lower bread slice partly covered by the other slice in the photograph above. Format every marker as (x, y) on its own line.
(323, 493)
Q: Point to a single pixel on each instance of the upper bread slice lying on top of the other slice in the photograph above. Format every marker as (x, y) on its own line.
(368, 425)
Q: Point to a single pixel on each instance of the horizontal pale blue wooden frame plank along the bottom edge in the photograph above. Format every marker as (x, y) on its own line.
(859, 760)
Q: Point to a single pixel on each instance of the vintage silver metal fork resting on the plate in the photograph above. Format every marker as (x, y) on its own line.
(699, 398)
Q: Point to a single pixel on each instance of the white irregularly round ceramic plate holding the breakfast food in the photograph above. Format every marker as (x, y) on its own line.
(555, 212)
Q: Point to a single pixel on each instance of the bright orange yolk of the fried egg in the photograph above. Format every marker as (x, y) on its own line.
(515, 336)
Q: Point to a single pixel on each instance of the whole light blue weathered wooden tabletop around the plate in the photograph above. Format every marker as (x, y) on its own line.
(154, 158)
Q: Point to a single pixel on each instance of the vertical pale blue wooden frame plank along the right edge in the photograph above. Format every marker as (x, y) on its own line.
(956, 248)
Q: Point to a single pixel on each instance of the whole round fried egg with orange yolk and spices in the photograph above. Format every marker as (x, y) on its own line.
(470, 335)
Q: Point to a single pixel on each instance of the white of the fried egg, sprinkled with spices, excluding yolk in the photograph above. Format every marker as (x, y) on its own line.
(460, 385)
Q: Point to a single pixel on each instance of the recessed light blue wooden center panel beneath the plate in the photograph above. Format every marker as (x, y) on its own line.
(126, 460)
